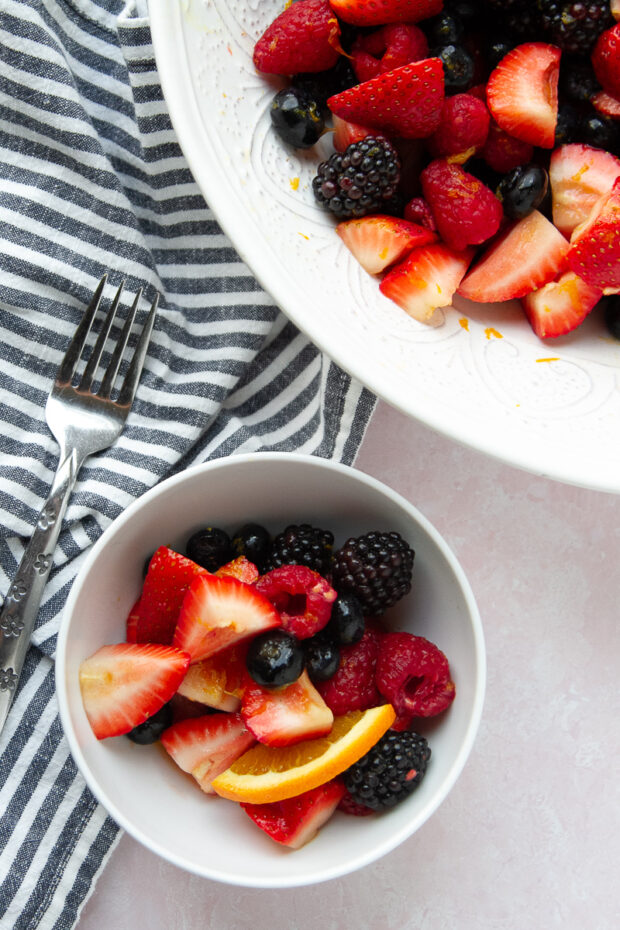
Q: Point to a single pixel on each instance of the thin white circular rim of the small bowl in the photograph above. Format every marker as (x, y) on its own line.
(424, 814)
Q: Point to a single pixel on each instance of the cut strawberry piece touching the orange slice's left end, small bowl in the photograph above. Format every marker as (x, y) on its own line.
(206, 746)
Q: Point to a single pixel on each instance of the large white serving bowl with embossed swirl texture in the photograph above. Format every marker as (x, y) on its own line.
(482, 378)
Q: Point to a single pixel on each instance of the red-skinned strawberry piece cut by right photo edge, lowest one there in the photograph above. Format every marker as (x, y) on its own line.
(594, 252)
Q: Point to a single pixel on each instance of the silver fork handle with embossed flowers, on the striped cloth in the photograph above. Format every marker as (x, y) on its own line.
(21, 604)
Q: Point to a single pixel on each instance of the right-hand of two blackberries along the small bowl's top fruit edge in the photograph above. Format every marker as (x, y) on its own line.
(376, 568)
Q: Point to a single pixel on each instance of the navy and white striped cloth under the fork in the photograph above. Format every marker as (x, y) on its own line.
(92, 180)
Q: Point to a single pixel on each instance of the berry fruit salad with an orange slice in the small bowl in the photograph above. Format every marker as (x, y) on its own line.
(266, 669)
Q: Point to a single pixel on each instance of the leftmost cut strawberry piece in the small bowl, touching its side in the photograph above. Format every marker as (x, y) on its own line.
(123, 685)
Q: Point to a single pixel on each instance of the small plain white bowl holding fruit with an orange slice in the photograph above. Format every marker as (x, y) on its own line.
(141, 789)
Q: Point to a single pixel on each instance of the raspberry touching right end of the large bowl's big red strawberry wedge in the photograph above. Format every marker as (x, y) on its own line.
(463, 128)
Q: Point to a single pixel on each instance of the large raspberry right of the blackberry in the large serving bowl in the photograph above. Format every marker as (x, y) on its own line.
(466, 212)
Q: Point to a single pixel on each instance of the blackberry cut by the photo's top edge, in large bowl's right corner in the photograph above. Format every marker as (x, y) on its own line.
(575, 26)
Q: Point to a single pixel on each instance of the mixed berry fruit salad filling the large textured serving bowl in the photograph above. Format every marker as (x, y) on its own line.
(476, 146)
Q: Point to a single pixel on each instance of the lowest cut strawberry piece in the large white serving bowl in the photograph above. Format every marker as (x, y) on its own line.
(560, 306)
